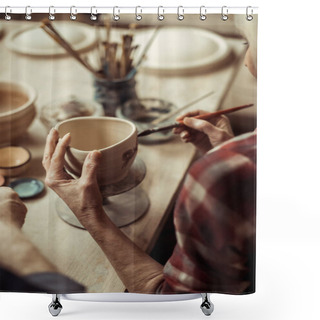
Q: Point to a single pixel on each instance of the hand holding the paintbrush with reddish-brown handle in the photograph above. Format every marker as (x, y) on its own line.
(204, 134)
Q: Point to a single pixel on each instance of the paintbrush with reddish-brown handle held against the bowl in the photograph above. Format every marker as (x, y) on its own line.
(205, 116)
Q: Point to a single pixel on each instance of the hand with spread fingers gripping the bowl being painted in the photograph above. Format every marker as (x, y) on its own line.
(81, 195)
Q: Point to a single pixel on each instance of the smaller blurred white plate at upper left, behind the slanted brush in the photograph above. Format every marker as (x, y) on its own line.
(34, 41)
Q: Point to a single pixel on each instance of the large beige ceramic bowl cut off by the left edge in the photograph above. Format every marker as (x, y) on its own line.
(17, 110)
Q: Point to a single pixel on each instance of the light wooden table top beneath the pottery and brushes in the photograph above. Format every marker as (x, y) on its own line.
(71, 249)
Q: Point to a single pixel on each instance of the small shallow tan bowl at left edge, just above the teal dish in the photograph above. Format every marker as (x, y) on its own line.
(14, 160)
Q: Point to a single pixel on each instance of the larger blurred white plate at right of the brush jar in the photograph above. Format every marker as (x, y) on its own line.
(183, 50)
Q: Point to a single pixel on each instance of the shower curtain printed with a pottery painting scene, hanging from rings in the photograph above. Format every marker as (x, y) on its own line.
(181, 218)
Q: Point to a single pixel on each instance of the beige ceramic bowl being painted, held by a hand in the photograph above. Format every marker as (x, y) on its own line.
(115, 138)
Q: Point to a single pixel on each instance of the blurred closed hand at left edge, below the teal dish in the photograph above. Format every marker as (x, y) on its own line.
(12, 209)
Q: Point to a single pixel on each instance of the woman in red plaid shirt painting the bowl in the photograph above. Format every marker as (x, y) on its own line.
(214, 216)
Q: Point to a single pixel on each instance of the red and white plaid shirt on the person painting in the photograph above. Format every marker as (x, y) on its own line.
(215, 223)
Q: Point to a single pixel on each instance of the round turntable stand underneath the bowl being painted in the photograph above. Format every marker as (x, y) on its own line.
(124, 202)
